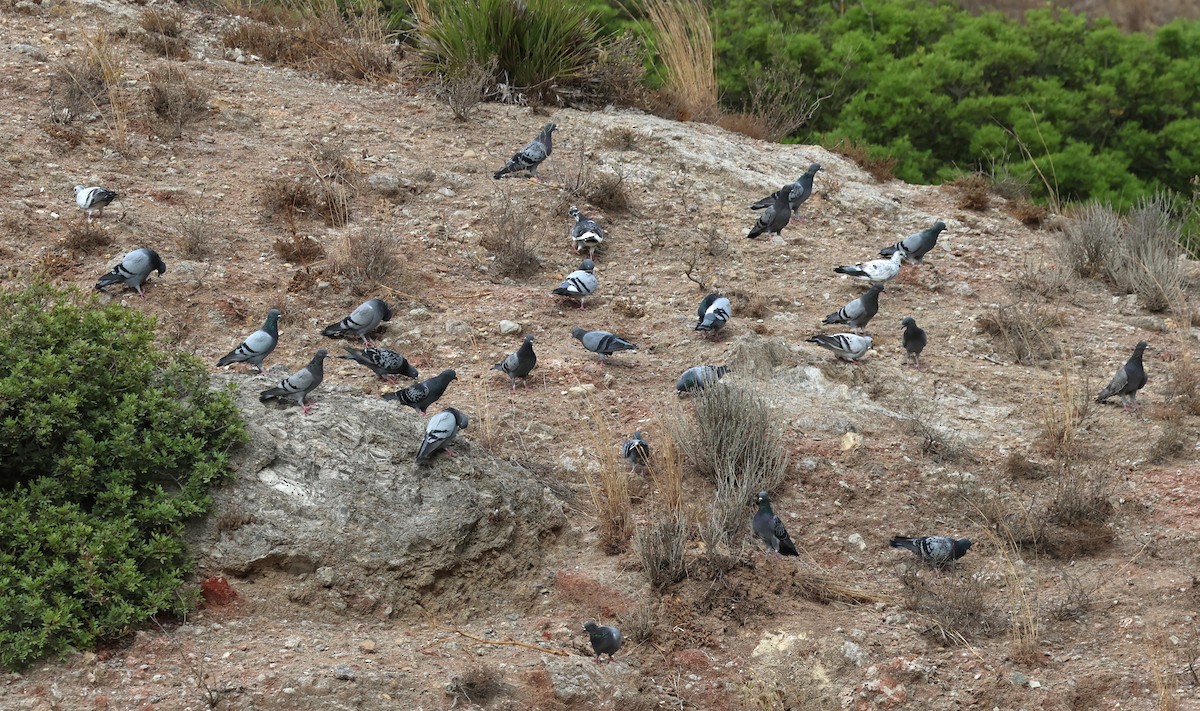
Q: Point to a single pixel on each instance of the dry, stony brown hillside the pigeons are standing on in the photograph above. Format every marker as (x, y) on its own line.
(328, 616)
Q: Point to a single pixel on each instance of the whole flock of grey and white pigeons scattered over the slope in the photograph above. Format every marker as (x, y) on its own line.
(713, 314)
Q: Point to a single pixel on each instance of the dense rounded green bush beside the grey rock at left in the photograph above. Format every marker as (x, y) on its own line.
(107, 447)
